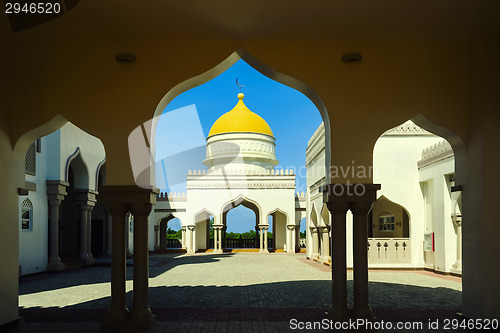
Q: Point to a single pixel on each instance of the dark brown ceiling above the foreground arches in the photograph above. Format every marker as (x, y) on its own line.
(130, 20)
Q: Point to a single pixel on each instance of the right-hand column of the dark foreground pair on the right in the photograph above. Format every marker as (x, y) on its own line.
(360, 209)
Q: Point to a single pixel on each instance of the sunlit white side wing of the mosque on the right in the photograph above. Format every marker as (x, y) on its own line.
(415, 223)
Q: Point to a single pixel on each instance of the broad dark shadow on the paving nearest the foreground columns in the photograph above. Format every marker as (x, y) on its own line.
(306, 300)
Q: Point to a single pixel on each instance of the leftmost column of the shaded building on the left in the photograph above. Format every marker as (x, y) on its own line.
(56, 191)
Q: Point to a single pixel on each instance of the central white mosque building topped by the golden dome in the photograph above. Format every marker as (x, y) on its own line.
(240, 161)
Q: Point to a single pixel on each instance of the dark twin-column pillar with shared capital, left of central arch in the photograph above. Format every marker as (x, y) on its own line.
(120, 200)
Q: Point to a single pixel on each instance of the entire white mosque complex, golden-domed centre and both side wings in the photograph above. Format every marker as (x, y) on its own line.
(414, 223)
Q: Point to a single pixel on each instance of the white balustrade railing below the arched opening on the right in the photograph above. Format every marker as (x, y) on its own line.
(389, 250)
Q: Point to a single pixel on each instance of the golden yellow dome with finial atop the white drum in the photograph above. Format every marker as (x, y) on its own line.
(240, 119)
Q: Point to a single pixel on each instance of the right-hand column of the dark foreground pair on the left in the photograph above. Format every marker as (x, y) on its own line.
(141, 313)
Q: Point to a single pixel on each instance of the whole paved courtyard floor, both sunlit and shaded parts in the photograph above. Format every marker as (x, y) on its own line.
(234, 292)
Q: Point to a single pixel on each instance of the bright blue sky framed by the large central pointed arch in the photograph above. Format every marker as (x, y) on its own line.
(186, 121)
